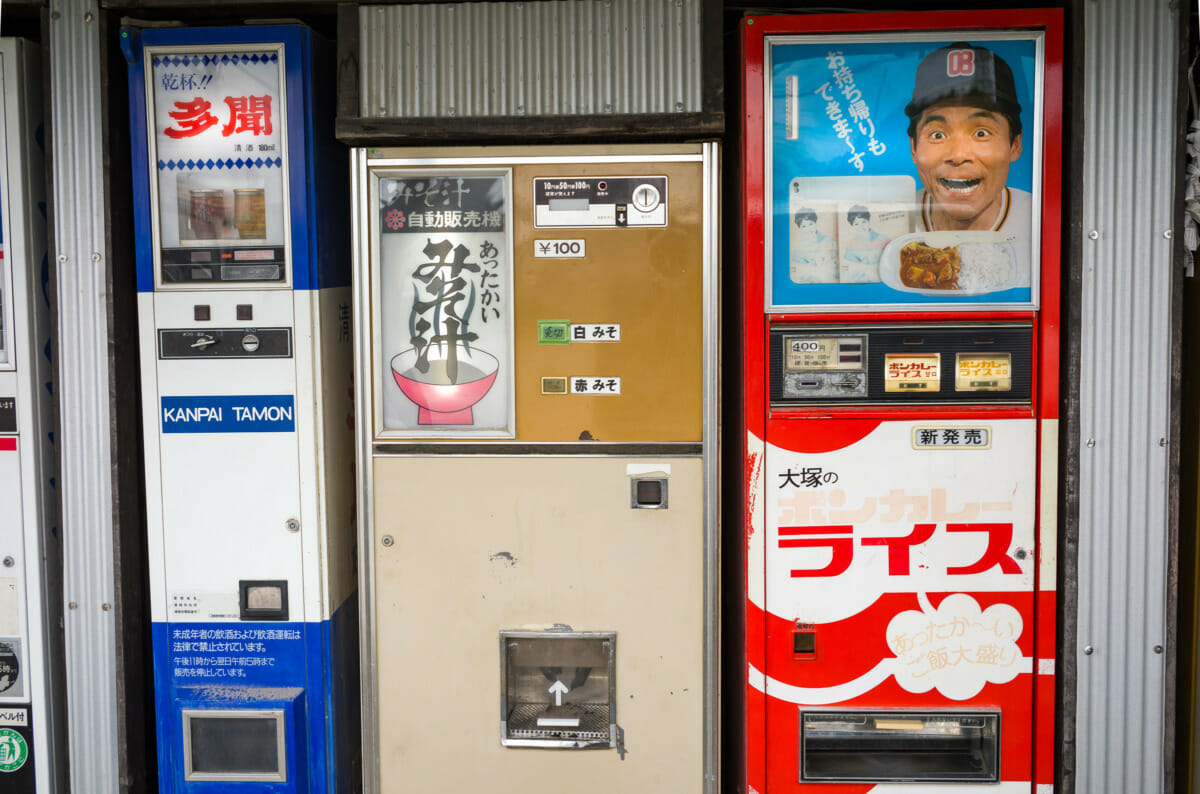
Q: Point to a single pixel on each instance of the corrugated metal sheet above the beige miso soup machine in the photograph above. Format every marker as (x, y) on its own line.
(517, 59)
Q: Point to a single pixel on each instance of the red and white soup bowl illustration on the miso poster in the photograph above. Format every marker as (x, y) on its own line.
(446, 398)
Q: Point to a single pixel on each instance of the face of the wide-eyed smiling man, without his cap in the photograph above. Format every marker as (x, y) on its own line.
(963, 157)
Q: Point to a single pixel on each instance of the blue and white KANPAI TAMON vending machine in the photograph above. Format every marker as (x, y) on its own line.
(244, 304)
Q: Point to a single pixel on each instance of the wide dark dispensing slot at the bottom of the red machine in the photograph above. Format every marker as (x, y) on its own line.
(877, 747)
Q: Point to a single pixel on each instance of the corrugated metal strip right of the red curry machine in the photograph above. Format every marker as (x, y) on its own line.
(1130, 157)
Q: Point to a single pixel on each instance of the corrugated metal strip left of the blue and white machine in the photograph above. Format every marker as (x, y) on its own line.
(85, 395)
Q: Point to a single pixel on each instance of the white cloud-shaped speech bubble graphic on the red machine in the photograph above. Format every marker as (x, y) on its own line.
(956, 648)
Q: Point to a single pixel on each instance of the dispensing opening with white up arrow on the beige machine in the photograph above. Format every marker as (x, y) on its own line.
(559, 690)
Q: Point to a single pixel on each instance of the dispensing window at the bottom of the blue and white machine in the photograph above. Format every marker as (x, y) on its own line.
(235, 747)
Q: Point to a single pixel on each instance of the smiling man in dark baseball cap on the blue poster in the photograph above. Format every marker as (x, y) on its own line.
(965, 130)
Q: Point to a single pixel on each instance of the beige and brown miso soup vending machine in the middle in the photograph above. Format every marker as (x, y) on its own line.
(537, 440)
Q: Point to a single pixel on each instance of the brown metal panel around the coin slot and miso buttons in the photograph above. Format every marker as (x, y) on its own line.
(647, 280)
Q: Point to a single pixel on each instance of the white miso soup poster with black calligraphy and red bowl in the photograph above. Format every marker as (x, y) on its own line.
(445, 305)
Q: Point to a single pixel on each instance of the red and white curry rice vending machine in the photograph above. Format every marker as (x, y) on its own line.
(902, 203)
